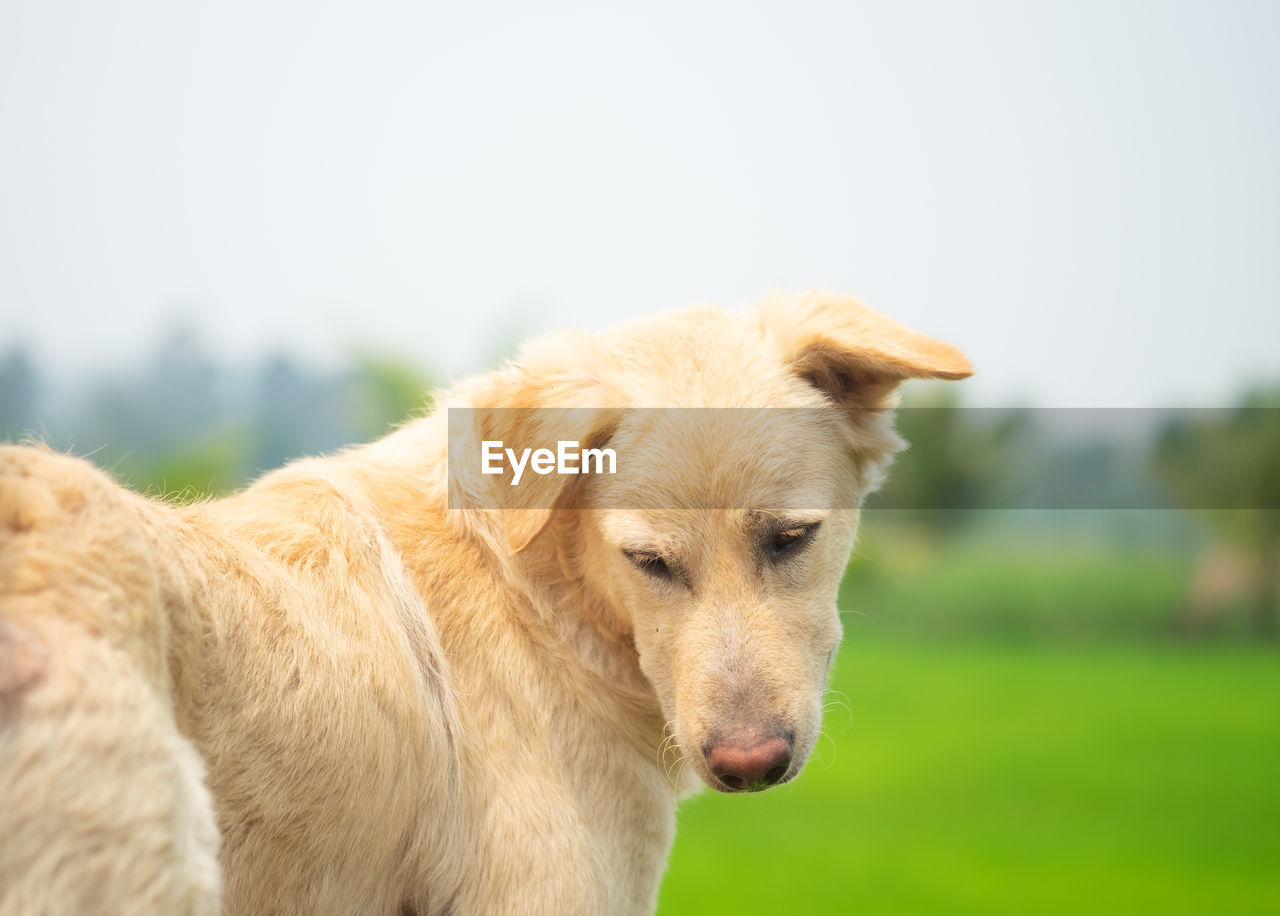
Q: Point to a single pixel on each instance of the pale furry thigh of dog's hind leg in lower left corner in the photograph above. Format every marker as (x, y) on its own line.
(103, 808)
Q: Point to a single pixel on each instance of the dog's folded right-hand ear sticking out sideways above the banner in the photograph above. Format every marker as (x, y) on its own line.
(852, 354)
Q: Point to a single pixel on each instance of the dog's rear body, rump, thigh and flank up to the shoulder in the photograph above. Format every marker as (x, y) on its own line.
(271, 636)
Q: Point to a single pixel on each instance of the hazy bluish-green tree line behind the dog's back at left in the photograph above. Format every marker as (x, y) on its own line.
(185, 427)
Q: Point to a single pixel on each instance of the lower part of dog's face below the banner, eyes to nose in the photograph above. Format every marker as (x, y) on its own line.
(735, 622)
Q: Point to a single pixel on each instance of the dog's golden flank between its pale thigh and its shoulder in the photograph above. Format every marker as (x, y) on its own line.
(313, 681)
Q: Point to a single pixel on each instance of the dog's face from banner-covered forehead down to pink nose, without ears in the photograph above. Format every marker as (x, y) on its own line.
(733, 601)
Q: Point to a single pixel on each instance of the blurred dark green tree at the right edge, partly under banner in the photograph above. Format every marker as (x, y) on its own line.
(1226, 464)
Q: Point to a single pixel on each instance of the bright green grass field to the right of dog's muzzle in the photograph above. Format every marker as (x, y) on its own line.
(1012, 778)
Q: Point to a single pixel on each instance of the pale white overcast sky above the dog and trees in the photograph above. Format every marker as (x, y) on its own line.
(1085, 196)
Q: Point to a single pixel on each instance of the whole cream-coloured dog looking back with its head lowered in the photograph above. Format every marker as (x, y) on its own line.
(399, 681)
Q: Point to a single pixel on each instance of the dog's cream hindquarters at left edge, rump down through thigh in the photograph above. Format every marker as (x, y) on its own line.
(103, 807)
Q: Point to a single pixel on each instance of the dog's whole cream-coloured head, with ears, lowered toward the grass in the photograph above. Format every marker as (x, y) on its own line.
(747, 445)
